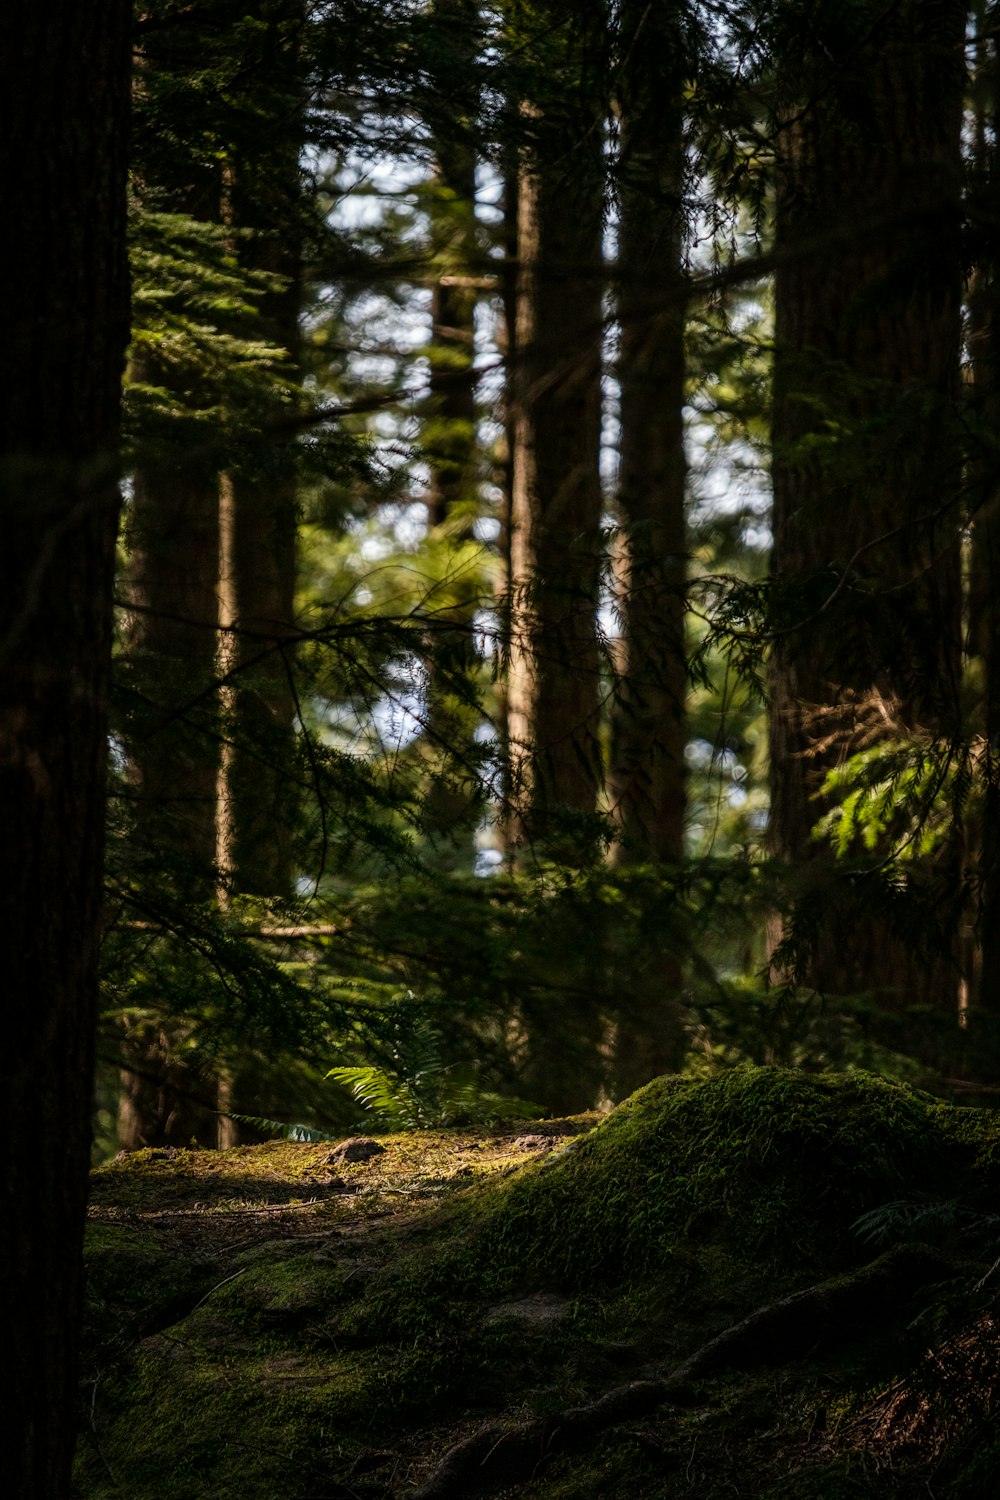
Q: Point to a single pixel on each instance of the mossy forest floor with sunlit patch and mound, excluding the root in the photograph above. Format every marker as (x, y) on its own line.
(269, 1324)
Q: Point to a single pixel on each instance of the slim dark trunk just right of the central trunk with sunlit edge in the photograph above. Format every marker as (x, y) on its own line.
(647, 776)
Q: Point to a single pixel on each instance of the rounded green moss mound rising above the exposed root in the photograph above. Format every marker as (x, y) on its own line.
(771, 1166)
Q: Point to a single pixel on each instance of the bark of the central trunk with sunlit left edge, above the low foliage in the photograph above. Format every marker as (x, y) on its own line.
(554, 685)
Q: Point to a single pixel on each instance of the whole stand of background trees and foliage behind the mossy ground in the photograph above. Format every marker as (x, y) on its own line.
(331, 199)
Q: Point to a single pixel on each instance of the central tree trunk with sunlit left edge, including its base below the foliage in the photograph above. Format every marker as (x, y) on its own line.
(554, 685)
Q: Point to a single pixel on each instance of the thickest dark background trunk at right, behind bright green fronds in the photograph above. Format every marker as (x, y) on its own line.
(867, 349)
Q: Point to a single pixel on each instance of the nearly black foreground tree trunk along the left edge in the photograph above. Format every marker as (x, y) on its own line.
(64, 76)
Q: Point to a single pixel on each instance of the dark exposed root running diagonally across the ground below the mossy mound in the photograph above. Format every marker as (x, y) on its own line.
(824, 1316)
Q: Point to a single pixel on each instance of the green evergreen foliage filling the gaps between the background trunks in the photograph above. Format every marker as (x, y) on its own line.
(395, 772)
